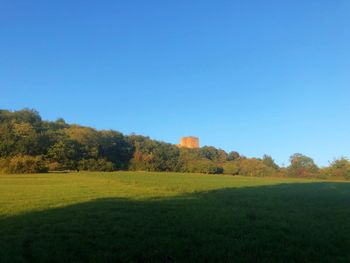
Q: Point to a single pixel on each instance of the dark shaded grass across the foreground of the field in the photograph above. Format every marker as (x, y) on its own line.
(282, 223)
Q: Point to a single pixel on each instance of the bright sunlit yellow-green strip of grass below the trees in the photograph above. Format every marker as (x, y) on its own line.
(23, 193)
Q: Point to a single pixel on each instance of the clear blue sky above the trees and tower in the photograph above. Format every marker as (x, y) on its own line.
(252, 76)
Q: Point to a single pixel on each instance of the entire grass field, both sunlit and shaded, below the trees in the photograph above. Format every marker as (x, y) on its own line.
(169, 217)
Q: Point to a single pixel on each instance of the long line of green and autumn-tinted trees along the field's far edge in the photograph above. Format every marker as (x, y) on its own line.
(29, 144)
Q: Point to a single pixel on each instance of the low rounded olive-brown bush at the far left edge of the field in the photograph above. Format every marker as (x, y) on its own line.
(23, 164)
